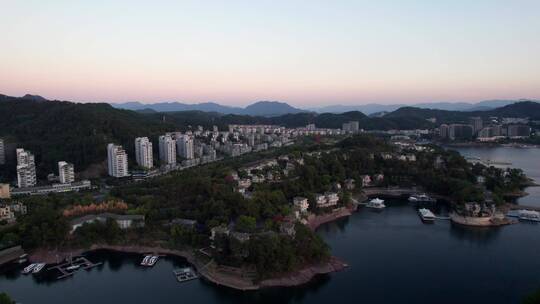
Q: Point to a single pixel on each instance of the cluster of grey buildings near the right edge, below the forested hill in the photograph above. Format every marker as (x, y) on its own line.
(489, 130)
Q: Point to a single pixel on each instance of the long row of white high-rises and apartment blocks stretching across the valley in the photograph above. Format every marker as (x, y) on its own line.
(179, 150)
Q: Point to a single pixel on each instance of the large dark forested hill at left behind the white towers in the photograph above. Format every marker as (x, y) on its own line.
(77, 133)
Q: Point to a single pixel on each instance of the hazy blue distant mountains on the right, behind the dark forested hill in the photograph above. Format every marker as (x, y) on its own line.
(373, 108)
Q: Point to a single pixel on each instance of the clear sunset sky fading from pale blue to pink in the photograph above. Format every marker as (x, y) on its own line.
(306, 53)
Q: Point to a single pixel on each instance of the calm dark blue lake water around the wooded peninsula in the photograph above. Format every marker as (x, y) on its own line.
(393, 257)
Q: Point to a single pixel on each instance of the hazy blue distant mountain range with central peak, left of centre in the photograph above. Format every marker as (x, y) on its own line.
(261, 108)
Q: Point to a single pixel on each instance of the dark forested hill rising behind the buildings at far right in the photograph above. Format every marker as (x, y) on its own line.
(519, 109)
